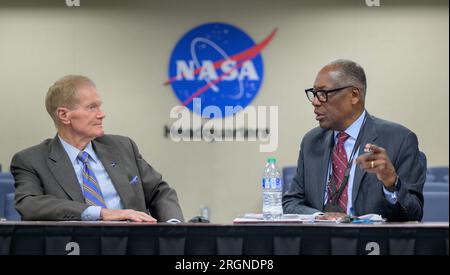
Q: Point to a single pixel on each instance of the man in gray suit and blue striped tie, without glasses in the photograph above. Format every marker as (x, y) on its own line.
(83, 174)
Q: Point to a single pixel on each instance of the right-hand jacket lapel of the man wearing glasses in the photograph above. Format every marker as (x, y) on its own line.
(369, 136)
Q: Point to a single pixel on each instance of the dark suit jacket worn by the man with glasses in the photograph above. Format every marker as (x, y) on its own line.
(306, 193)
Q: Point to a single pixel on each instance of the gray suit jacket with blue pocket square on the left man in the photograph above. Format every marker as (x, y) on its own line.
(47, 187)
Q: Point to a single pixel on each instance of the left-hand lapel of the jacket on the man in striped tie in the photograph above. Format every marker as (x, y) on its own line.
(62, 169)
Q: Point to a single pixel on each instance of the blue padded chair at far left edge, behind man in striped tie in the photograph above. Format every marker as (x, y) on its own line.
(7, 210)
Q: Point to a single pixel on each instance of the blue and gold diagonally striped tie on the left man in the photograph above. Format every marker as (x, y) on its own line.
(91, 189)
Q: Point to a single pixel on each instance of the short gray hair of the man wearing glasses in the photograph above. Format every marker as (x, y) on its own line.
(350, 73)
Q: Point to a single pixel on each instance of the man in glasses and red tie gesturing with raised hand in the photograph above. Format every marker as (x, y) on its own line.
(354, 163)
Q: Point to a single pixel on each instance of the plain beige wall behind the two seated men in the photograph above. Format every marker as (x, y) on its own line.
(124, 46)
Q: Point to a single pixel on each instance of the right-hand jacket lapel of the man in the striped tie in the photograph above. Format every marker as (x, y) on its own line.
(114, 166)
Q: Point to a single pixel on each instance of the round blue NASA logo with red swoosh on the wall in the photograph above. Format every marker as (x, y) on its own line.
(218, 63)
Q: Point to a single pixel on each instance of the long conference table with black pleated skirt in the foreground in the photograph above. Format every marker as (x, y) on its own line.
(128, 238)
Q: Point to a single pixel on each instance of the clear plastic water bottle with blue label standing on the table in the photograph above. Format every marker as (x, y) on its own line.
(272, 191)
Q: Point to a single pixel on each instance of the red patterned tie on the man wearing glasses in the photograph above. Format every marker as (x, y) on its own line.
(339, 164)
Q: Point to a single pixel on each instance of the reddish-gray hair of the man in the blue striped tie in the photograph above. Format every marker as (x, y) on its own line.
(63, 94)
